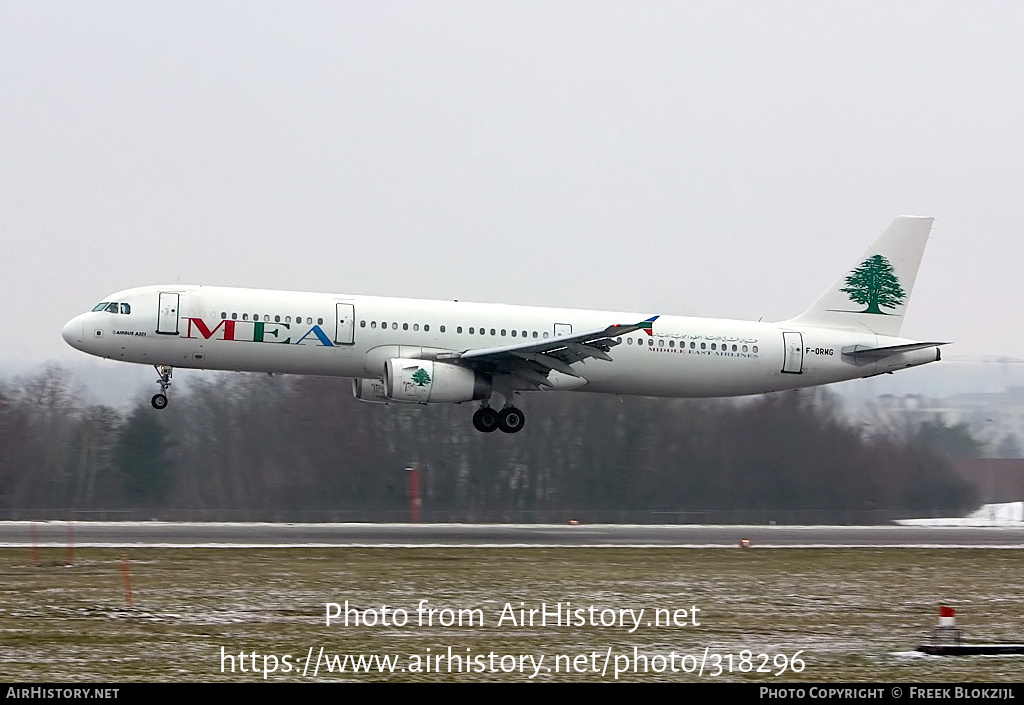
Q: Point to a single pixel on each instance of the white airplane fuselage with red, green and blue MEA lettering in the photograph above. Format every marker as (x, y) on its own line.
(288, 333)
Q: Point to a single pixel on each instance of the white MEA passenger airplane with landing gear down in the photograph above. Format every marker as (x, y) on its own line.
(429, 352)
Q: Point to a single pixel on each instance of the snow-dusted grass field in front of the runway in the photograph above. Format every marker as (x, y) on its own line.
(852, 614)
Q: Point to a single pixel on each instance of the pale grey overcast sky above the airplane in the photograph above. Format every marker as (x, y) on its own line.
(722, 159)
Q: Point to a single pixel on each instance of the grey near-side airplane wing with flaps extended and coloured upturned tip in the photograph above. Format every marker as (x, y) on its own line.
(533, 361)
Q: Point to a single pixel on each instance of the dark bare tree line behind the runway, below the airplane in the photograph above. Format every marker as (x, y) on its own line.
(244, 442)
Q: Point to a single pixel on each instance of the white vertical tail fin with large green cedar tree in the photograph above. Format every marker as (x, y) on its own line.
(874, 295)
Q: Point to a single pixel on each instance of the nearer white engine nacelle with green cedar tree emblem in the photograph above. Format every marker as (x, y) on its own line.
(426, 382)
